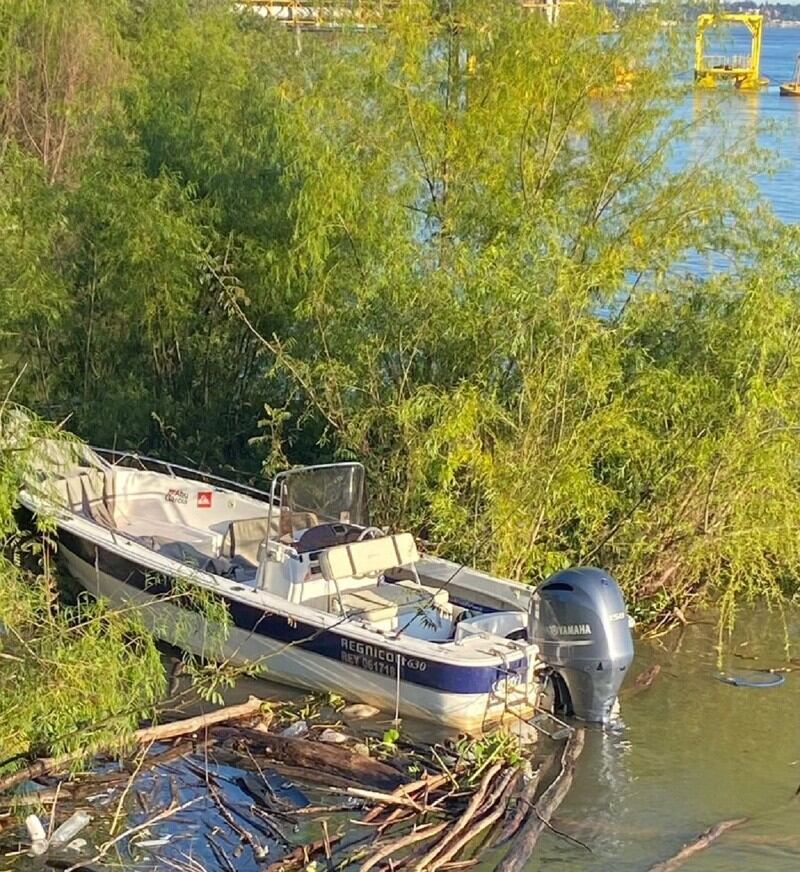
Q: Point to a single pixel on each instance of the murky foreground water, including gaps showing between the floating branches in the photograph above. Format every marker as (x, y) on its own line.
(686, 753)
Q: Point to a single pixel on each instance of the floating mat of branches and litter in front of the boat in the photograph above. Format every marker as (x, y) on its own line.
(274, 802)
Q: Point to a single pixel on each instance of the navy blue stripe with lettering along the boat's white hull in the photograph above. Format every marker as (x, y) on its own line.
(445, 677)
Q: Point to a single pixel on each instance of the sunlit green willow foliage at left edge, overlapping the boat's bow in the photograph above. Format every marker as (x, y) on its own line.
(71, 676)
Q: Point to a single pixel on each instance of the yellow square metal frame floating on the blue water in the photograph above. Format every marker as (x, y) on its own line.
(742, 70)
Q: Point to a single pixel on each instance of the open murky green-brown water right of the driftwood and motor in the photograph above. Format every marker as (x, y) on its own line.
(690, 752)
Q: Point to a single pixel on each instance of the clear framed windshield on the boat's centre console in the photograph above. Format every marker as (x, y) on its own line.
(315, 495)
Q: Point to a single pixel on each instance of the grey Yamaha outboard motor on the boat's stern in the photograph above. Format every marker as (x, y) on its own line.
(579, 621)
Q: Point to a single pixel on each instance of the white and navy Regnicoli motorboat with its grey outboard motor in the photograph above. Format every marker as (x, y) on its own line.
(318, 598)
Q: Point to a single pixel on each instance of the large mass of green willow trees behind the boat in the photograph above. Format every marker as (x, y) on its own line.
(454, 246)
